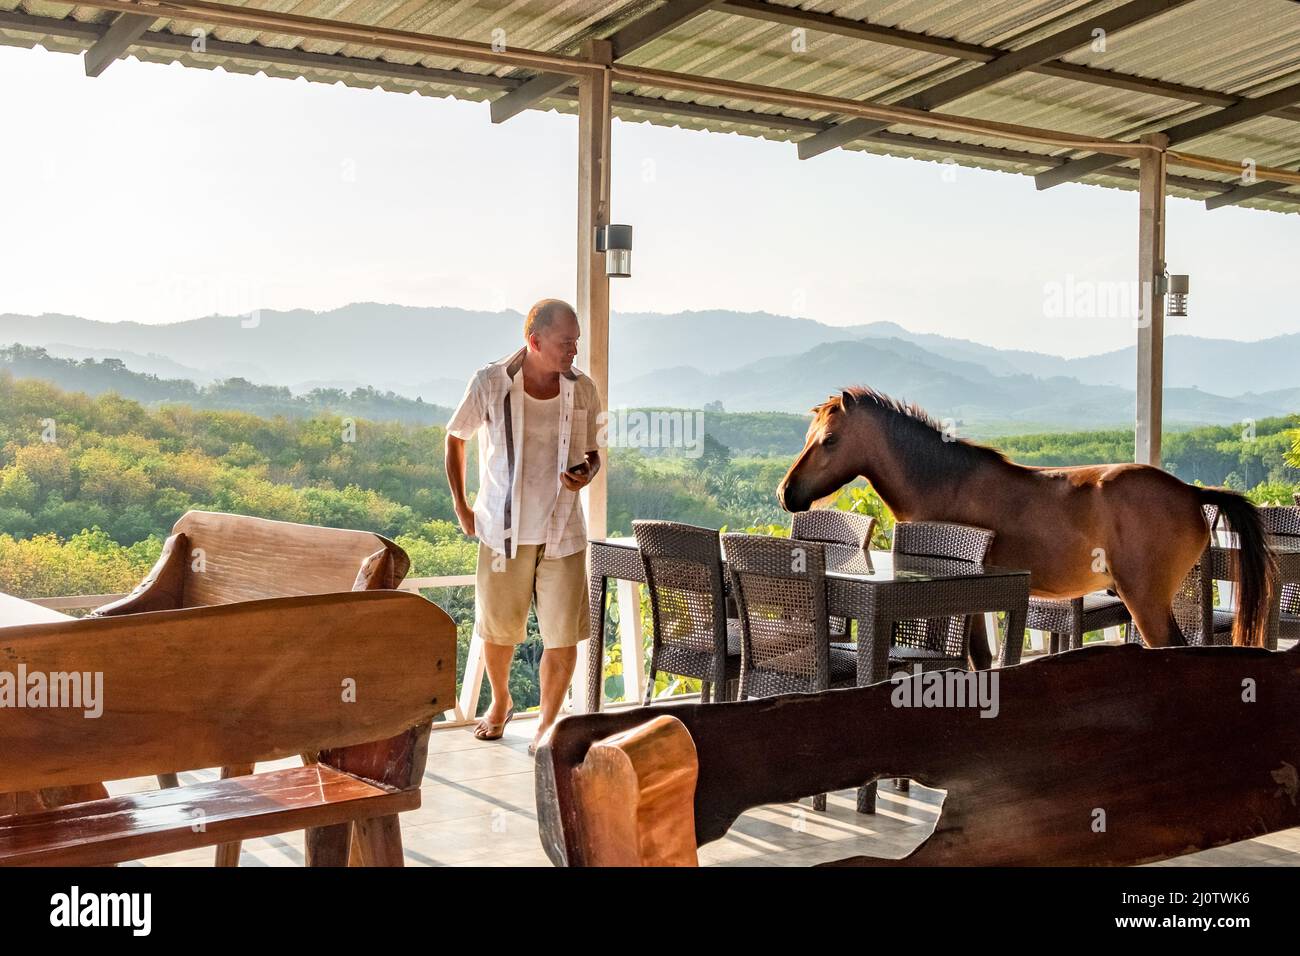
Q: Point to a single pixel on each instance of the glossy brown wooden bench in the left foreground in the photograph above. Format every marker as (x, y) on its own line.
(354, 680)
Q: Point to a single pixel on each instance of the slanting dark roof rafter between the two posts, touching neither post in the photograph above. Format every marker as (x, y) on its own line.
(1007, 64)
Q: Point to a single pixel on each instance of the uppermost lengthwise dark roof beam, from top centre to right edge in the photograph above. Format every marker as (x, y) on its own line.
(973, 53)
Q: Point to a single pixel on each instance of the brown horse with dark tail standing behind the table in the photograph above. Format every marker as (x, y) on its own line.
(1129, 527)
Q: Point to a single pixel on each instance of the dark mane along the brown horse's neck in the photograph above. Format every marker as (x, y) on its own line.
(917, 435)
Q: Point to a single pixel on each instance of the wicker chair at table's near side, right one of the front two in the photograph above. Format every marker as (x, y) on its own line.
(781, 587)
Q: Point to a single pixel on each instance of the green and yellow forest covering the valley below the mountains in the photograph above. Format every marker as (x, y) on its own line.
(92, 486)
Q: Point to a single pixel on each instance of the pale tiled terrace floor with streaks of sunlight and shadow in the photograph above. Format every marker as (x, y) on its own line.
(479, 811)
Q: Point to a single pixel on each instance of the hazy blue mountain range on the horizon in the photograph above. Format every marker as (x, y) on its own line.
(746, 361)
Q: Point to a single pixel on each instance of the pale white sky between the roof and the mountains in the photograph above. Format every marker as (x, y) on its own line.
(163, 193)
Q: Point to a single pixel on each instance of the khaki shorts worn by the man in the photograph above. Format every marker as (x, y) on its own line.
(508, 587)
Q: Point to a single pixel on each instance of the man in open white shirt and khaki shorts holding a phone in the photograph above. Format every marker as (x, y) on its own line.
(538, 422)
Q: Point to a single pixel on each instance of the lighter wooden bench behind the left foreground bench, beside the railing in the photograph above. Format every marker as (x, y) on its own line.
(214, 559)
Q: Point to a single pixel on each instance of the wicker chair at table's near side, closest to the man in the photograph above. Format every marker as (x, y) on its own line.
(688, 603)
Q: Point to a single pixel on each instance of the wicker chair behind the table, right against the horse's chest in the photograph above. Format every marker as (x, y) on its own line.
(937, 643)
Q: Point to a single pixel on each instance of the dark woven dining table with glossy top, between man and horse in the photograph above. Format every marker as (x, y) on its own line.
(874, 589)
